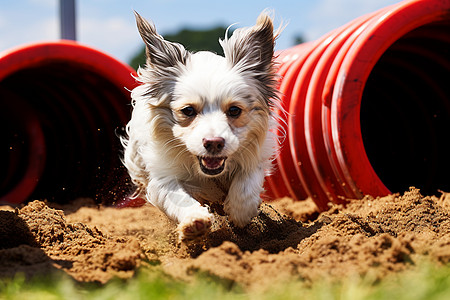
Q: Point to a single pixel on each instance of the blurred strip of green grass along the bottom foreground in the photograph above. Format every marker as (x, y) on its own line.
(425, 282)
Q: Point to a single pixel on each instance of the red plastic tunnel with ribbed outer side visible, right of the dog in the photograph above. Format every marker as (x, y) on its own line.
(368, 107)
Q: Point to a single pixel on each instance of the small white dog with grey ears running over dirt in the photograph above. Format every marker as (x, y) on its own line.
(203, 130)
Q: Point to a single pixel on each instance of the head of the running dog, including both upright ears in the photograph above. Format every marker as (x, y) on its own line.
(217, 107)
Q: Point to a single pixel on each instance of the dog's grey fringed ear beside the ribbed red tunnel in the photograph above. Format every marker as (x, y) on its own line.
(251, 51)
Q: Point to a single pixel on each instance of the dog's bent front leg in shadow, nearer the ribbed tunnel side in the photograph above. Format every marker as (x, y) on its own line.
(244, 197)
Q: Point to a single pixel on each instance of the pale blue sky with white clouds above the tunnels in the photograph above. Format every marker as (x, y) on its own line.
(109, 25)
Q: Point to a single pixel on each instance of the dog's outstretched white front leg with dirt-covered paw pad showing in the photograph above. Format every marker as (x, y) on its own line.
(193, 219)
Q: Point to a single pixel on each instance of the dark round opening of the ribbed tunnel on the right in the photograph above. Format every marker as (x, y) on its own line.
(405, 112)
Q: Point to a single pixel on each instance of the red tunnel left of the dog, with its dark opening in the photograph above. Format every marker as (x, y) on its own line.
(61, 106)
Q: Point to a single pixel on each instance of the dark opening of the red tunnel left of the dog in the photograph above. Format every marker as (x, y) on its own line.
(78, 113)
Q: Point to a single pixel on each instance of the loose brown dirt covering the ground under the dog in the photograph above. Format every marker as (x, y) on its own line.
(288, 240)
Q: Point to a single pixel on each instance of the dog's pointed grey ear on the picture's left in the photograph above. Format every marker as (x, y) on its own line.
(160, 53)
